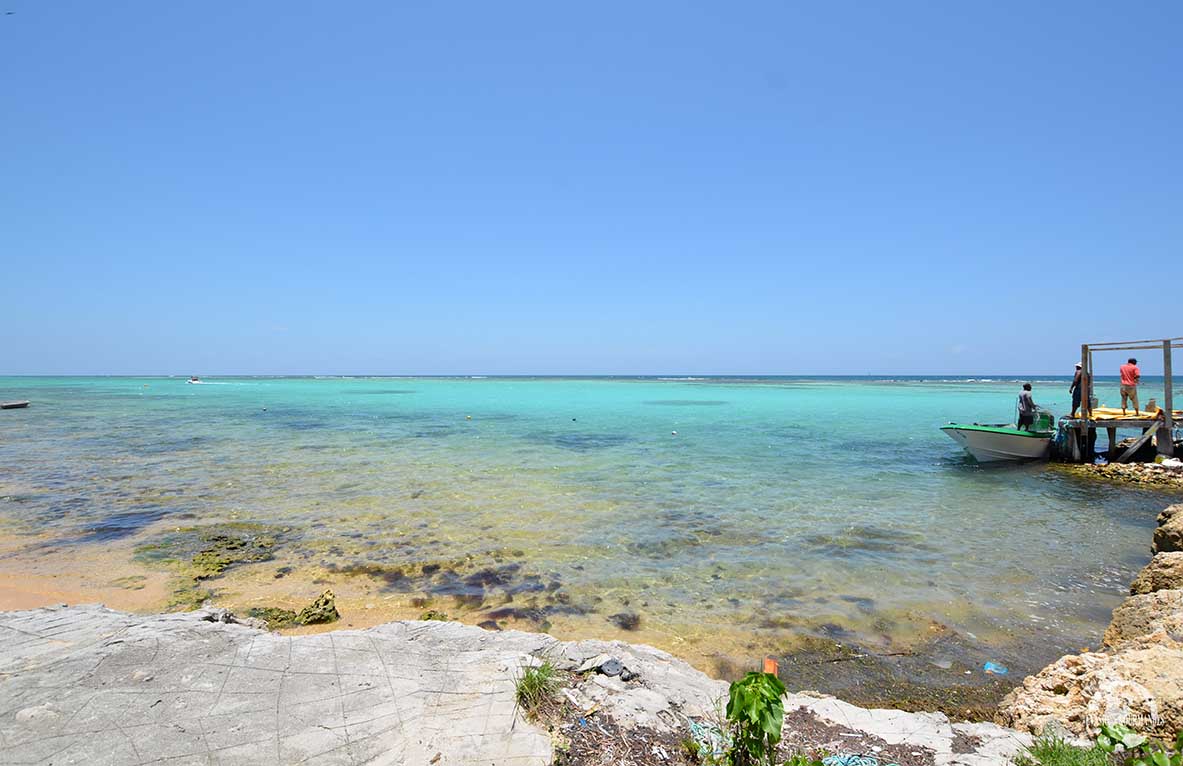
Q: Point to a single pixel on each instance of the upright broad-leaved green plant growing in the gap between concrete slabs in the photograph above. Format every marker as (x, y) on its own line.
(755, 713)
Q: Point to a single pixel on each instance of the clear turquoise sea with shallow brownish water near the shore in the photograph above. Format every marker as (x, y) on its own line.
(725, 515)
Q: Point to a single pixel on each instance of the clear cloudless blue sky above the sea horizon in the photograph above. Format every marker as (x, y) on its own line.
(561, 189)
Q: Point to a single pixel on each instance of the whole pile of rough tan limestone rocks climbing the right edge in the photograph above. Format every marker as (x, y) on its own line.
(1139, 677)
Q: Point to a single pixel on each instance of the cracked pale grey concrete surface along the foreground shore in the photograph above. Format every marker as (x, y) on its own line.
(87, 685)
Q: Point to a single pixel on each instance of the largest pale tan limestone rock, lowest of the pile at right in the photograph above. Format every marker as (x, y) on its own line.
(1141, 687)
